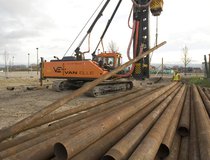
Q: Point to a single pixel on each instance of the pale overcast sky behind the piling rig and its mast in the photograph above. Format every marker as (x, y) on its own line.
(51, 25)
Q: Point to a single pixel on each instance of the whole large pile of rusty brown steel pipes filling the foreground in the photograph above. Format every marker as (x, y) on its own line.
(167, 122)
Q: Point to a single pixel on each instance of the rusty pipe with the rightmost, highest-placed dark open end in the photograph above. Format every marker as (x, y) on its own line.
(184, 123)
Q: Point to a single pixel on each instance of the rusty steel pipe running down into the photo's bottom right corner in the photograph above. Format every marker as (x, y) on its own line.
(202, 124)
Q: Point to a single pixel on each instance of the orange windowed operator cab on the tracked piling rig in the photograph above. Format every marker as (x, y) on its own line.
(109, 60)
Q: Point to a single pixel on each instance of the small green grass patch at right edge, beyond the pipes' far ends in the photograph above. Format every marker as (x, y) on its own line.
(203, 82)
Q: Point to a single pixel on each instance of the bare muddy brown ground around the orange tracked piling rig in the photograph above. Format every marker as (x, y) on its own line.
(19, 103)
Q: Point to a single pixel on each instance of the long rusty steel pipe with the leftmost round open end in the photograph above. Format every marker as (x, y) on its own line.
(71, 146)
